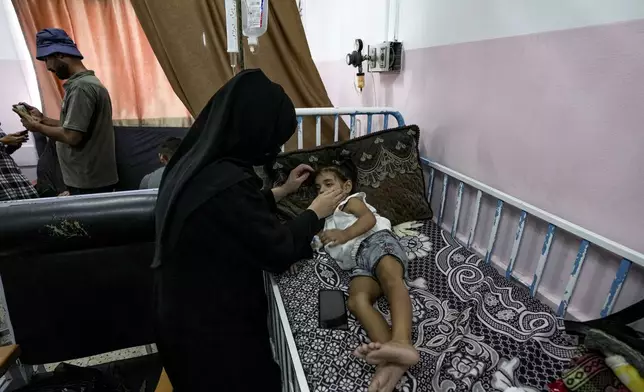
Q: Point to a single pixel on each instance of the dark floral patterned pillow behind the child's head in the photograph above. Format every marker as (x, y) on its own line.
(388, 167)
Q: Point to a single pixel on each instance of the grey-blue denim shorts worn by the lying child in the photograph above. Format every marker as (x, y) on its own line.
(373, 248)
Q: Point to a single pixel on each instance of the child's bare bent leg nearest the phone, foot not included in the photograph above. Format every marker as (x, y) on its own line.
(364, 291)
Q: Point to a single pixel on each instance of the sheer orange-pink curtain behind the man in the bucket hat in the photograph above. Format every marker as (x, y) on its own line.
(110, 38)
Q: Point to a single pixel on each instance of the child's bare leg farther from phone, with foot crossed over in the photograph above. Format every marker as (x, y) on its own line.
(399, 350)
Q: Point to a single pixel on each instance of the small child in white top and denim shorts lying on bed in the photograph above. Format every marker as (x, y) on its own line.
(360, 240)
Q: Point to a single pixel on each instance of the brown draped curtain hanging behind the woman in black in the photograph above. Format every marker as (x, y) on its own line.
(189, 39)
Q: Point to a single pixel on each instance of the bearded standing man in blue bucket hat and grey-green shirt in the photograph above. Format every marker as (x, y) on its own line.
(84, 134)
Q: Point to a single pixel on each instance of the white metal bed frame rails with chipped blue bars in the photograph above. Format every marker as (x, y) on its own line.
(285, 349)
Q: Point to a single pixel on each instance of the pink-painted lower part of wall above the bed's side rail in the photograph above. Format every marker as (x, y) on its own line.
(552, 118)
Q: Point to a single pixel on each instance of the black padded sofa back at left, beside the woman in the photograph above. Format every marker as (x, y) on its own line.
(76, 273)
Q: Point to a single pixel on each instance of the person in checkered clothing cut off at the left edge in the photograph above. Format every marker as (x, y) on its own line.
(13, 184)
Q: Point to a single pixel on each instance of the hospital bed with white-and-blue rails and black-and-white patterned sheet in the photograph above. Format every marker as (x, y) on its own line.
(501, 270)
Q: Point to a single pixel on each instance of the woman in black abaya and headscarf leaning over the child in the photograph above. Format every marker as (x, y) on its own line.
(216, 234)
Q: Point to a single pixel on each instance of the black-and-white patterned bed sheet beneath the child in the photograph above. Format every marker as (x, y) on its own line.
(475, 330)
